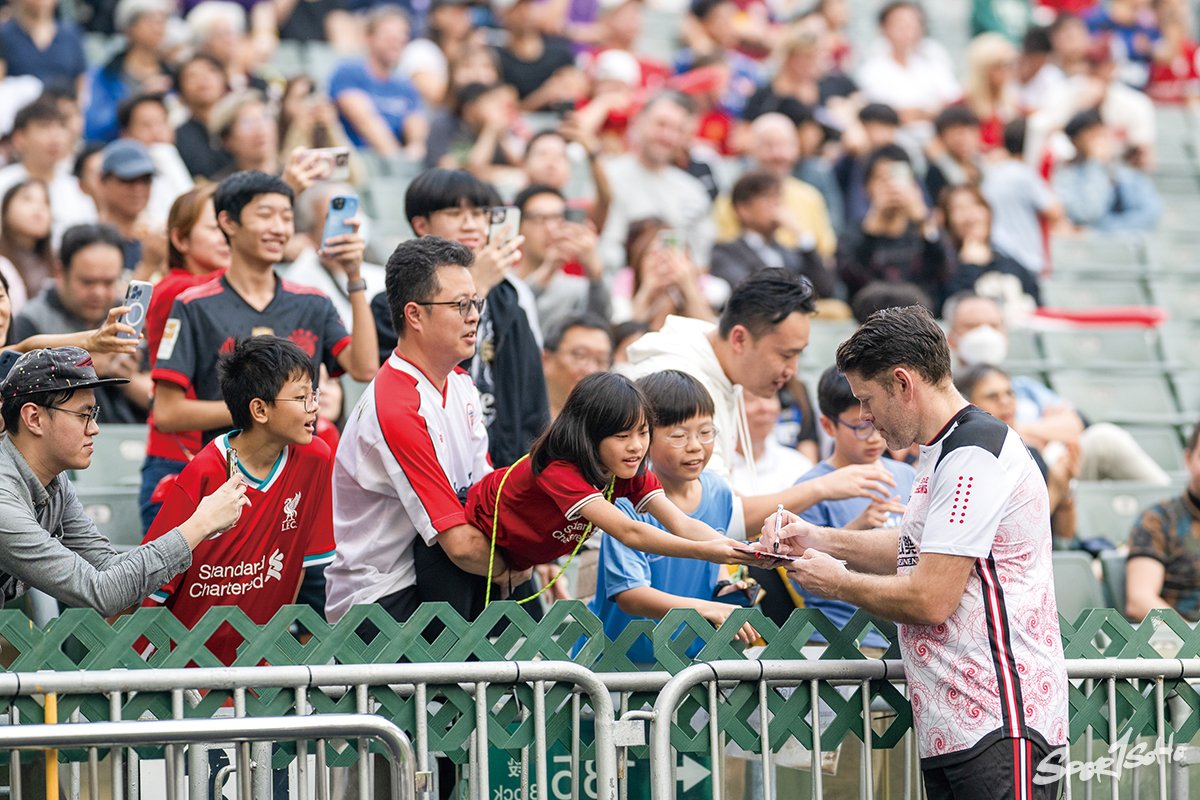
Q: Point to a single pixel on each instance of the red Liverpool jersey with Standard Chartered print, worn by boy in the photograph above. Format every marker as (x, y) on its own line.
(256, 566)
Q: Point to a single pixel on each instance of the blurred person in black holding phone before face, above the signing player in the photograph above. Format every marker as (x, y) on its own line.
(898, 239)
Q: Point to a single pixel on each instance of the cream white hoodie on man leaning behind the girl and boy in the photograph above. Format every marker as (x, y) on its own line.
(683, 345)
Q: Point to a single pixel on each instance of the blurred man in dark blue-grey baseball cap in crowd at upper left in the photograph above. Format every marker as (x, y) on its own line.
(127, 173)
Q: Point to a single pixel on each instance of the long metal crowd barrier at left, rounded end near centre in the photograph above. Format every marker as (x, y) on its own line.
(405, 679)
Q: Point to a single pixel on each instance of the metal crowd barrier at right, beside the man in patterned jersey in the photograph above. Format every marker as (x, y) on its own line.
(770, 676)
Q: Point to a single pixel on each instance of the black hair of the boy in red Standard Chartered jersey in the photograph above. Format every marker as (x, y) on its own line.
(257, 368)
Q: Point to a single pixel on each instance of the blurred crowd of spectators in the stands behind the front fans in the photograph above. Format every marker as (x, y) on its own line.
(1023, 169)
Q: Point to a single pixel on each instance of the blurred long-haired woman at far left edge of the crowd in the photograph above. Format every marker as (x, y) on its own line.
(26, 250)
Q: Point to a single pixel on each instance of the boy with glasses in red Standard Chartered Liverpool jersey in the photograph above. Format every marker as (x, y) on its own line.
(259, 564)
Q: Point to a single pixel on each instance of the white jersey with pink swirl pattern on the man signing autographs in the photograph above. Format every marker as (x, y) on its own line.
(995, 669)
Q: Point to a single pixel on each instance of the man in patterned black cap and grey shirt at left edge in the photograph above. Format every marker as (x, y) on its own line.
(46, 542)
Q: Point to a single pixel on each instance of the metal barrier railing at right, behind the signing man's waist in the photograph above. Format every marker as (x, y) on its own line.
(814, 681)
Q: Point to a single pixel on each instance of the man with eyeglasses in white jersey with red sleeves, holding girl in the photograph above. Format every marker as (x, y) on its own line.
(412, 448)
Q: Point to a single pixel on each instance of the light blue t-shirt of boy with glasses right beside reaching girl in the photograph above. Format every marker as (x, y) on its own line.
(622, 568)
